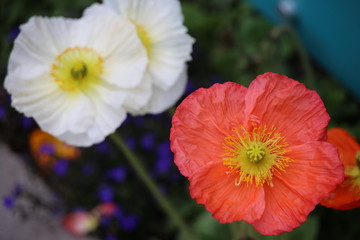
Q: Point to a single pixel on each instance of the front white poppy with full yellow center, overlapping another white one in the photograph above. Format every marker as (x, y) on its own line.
(73, 76)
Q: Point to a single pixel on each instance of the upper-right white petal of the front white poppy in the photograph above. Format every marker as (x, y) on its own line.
(124, 56)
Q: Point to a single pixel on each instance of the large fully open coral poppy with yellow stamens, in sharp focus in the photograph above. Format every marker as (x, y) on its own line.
(256, 154)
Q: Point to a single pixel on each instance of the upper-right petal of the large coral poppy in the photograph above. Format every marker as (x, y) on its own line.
(269, 99)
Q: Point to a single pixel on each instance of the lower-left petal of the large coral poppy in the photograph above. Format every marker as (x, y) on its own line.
(212, 186)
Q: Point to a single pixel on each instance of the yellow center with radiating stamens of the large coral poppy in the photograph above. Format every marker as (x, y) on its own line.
(255, 155)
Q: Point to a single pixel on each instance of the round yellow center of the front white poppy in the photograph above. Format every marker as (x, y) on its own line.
(77, 69)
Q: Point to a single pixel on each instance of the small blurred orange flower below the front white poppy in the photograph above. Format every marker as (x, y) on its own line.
(46, 149)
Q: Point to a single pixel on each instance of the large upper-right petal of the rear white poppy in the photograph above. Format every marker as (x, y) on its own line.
(170, 45)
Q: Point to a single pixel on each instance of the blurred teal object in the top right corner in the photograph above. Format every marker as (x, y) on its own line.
(329, 29)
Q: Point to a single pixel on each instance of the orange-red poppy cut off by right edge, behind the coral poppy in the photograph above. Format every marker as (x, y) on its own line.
(347, 194)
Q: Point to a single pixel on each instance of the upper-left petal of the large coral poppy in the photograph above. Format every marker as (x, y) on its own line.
(201, 123)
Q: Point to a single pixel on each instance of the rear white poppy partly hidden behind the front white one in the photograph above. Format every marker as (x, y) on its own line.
(159, 24)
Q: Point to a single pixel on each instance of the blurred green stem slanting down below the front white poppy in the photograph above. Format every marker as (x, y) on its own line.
(141, 172)
